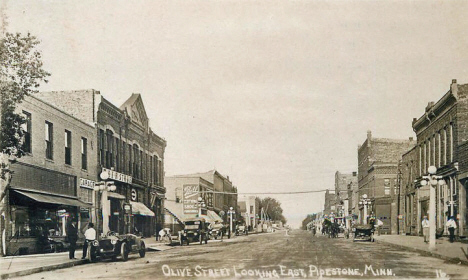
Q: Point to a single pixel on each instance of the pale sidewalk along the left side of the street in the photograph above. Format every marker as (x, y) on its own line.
(14, 266)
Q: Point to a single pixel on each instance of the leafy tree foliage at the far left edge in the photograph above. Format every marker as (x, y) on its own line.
(20, 75)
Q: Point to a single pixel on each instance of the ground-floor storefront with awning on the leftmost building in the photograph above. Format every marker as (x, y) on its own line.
(40, 203)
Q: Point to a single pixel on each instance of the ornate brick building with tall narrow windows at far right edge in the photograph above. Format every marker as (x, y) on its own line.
(442, 132)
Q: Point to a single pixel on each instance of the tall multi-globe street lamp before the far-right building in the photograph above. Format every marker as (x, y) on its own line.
(434, 180)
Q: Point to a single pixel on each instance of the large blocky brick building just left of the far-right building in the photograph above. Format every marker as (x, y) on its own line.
(378, 160)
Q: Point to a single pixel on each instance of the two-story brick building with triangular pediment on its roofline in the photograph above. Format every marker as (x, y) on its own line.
(128, 151)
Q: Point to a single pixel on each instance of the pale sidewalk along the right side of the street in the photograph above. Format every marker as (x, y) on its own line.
(453, 252)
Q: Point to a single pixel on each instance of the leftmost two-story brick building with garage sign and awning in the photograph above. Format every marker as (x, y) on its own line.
(52, 183)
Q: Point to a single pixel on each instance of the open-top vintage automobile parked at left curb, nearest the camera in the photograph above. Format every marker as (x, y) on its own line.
(114, 245)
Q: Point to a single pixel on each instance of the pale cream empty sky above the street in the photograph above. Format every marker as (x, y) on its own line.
(275, 94)
